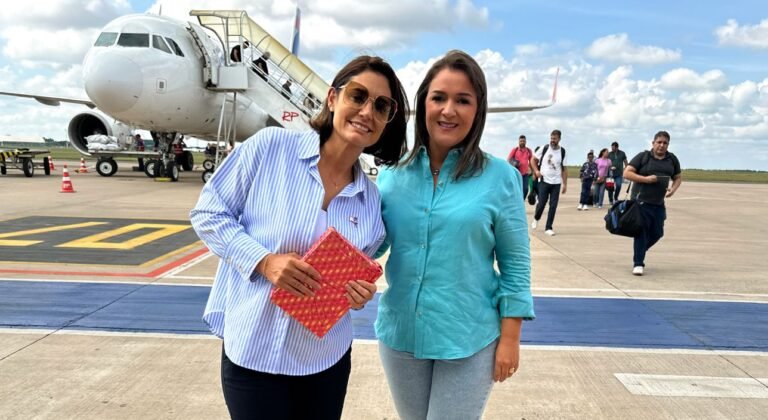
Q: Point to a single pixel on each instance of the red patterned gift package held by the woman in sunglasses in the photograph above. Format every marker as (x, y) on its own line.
(338, 262)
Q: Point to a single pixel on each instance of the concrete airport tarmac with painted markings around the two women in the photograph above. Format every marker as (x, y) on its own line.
(120, 337)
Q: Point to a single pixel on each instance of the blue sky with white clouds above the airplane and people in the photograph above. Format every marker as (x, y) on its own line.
(627, 69)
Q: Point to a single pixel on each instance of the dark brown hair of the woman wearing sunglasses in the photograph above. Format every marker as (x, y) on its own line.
(392, 143)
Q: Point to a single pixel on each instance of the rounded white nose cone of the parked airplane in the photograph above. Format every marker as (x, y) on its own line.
(113, 82)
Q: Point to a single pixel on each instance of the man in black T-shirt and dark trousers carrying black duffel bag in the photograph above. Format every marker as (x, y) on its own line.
(651, 172)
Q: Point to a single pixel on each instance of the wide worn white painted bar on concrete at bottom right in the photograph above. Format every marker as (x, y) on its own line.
(693, 386)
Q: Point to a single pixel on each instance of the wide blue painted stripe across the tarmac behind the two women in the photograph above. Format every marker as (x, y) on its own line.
(560, 321)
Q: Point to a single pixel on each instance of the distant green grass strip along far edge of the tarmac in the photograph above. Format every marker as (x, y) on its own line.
(694, 175)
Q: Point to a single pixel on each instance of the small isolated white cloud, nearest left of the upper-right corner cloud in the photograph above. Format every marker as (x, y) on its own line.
(618, 48)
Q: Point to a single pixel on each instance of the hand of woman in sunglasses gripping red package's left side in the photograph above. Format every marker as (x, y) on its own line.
(288, 272)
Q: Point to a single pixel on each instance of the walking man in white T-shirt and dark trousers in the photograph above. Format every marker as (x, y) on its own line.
(548, 166)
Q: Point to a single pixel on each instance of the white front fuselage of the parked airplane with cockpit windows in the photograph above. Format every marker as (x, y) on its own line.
(147, 71)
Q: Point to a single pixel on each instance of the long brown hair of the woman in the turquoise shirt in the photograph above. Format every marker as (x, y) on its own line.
(472, 158)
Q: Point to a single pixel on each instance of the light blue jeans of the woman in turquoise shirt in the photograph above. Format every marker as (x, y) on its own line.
(428, 389)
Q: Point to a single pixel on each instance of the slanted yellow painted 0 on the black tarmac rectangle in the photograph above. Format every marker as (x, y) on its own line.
(97, 241)
